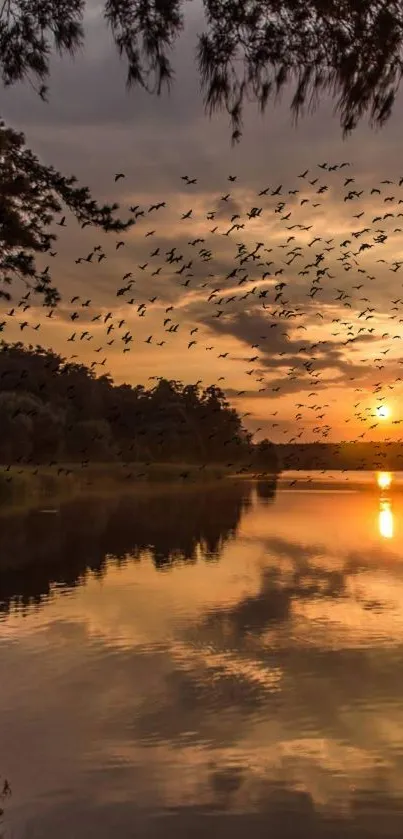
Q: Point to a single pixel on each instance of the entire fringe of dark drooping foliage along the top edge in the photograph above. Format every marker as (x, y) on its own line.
(248, 49)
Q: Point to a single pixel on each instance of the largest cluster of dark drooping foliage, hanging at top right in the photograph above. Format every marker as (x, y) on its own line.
(350, 49)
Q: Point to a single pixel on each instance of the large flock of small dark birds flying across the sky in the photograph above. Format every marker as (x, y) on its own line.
(306, 278)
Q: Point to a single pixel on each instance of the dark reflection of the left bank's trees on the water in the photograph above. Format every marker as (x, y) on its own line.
(38, 550)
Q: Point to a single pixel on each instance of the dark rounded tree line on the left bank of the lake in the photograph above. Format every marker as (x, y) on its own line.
(54, 410)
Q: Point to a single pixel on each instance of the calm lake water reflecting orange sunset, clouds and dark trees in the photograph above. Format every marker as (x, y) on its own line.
(224, 660)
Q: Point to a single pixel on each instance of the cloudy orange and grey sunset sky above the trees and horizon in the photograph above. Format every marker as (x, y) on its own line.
(94, 128)
